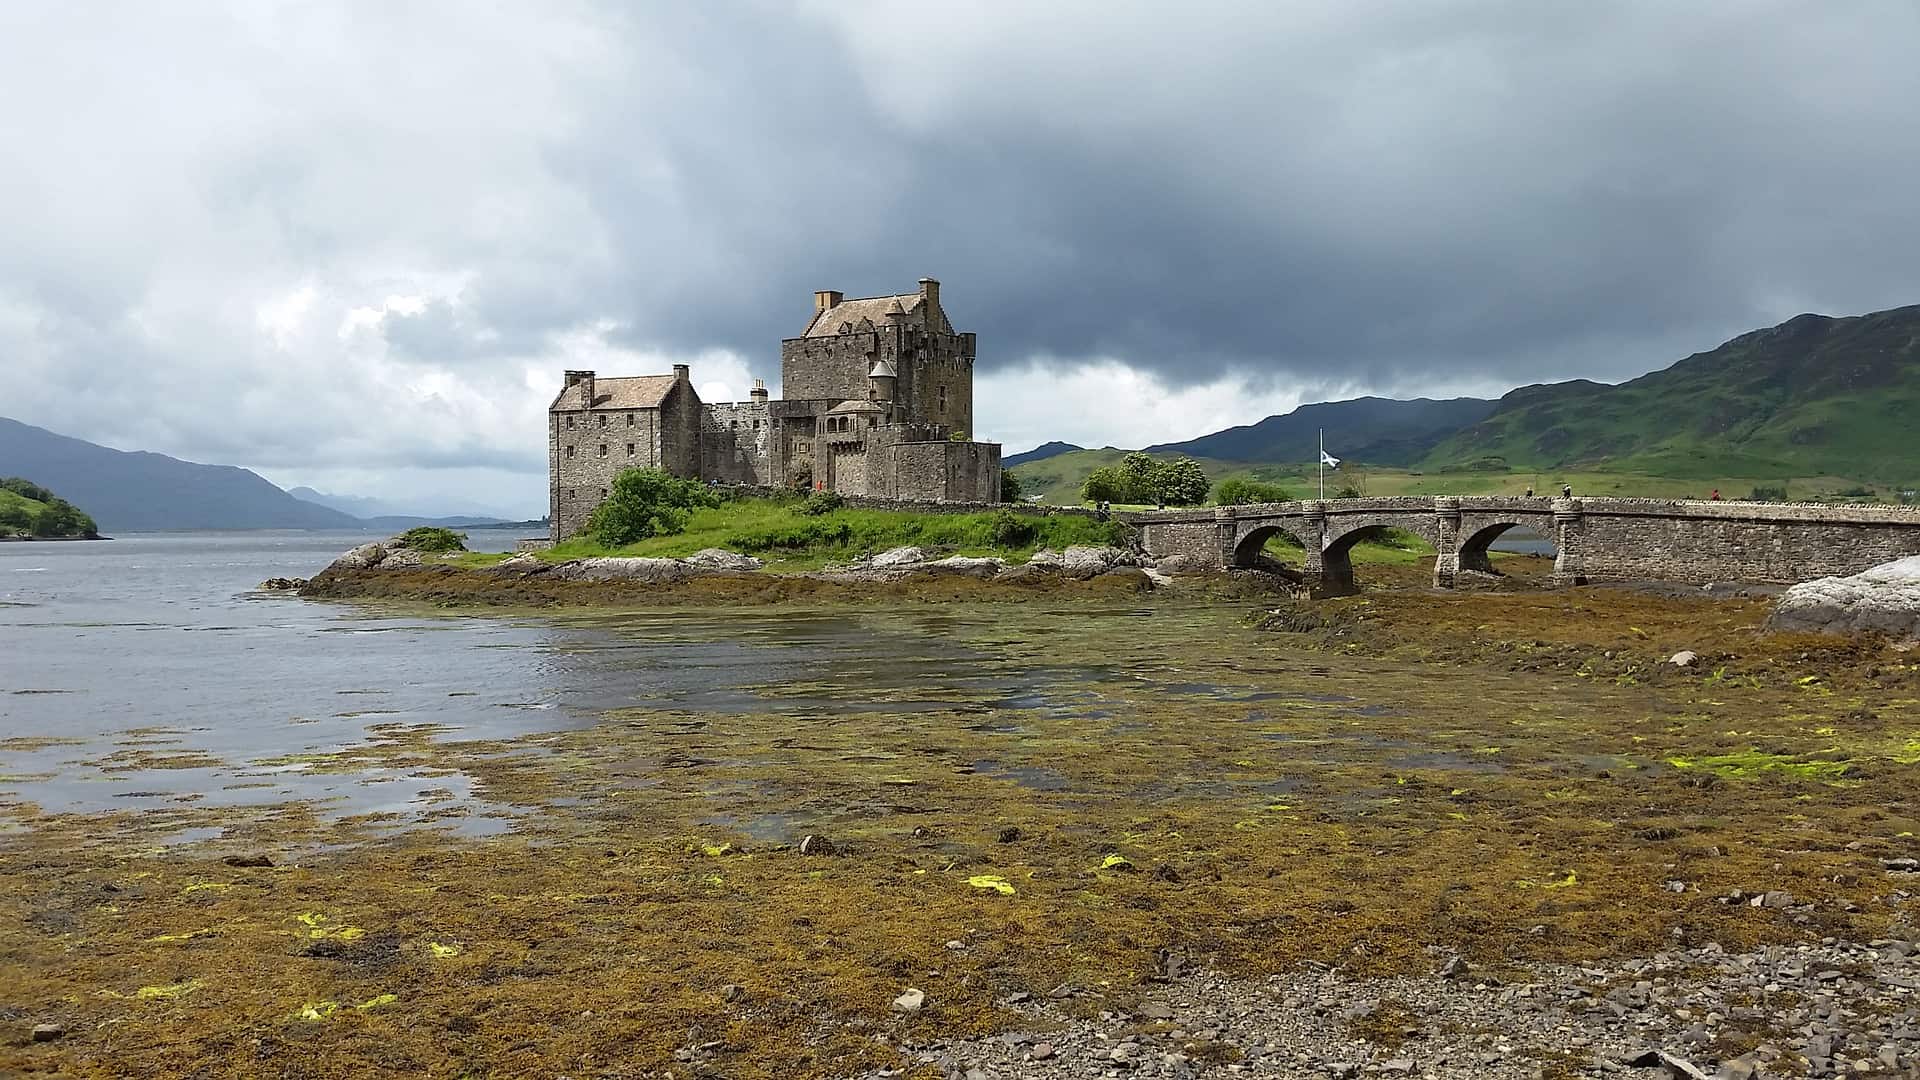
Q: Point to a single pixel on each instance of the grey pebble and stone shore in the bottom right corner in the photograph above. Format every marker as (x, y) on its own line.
(1810, 1010)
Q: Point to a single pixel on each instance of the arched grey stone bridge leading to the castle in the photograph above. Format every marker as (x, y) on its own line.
(1598, 539)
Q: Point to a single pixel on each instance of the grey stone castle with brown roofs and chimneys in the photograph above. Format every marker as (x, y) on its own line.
(878, 401)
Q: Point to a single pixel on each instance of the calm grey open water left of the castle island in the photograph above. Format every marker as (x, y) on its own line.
(160, 647)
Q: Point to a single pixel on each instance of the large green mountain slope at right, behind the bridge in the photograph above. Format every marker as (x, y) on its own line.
(1806, 399)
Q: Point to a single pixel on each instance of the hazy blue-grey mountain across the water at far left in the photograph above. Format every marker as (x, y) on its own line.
(137, 491)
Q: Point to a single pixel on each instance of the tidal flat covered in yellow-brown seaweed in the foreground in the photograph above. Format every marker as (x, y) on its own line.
(1042, 798)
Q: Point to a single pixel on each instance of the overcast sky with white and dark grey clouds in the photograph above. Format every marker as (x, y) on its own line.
(354, 245)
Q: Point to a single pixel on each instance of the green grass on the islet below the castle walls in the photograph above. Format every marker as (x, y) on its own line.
(792, 541)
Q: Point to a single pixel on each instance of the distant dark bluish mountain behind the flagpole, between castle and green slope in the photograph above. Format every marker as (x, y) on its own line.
(1376, 431)
